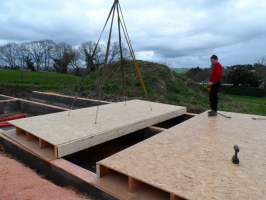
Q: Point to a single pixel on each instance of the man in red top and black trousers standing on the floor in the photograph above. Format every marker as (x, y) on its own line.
(214, 85)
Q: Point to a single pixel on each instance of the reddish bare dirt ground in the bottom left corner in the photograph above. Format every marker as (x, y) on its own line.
(18, 182)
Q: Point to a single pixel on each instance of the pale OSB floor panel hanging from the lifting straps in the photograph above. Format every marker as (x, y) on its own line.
(74, 131)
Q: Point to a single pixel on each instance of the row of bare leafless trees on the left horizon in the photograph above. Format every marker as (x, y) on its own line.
(47, 55)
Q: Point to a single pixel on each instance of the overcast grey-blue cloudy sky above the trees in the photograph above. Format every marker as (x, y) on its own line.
(181, 33)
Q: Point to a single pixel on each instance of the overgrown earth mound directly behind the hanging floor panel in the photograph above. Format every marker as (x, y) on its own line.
(163, 84)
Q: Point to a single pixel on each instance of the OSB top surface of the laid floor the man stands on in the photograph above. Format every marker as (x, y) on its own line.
(193, 159)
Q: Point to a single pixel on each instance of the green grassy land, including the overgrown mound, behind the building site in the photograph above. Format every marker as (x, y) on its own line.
(164, 85)
